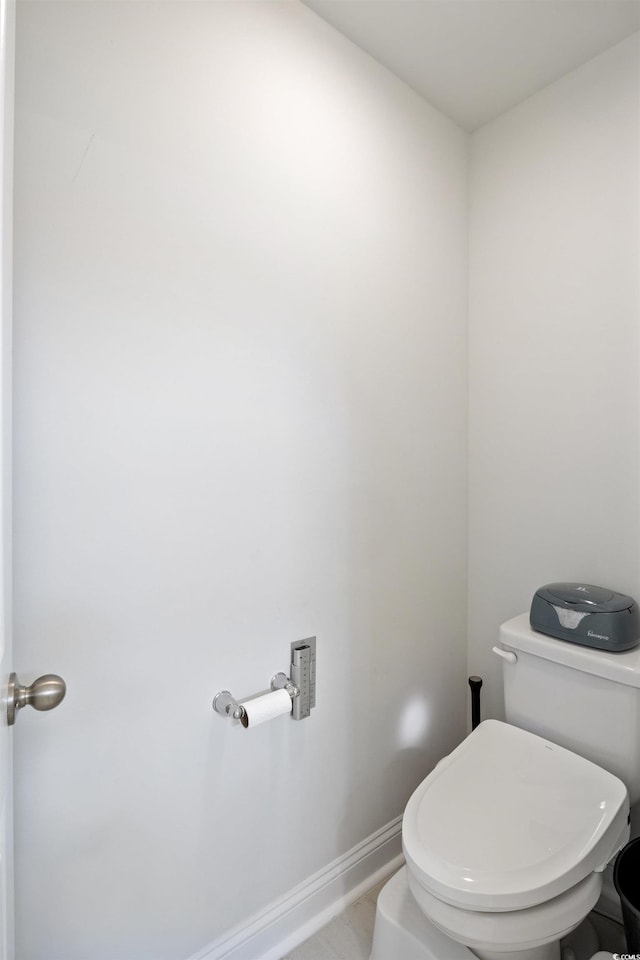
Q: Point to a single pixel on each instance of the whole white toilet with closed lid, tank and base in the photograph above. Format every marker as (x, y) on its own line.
(507, 838)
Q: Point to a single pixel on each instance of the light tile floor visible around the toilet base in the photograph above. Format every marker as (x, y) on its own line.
(350, 935)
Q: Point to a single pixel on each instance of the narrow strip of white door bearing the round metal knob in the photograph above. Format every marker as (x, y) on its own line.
(7, 46)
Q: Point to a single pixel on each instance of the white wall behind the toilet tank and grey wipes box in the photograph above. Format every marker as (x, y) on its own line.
(554, 360)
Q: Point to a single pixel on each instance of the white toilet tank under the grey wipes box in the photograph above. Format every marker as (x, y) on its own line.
(584, 699)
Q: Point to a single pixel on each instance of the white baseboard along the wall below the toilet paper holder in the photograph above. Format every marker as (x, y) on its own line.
(293, 918)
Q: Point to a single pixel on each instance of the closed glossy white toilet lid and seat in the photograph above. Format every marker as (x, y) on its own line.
(510, 819)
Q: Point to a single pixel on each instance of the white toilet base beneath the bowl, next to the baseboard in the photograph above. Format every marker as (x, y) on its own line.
(402, 930)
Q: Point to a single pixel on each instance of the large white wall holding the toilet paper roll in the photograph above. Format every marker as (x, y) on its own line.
(240, 370)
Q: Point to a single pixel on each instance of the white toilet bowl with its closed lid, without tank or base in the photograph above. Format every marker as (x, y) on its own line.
(506, 839)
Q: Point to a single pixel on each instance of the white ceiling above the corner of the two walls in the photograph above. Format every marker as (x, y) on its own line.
(474, 59)
